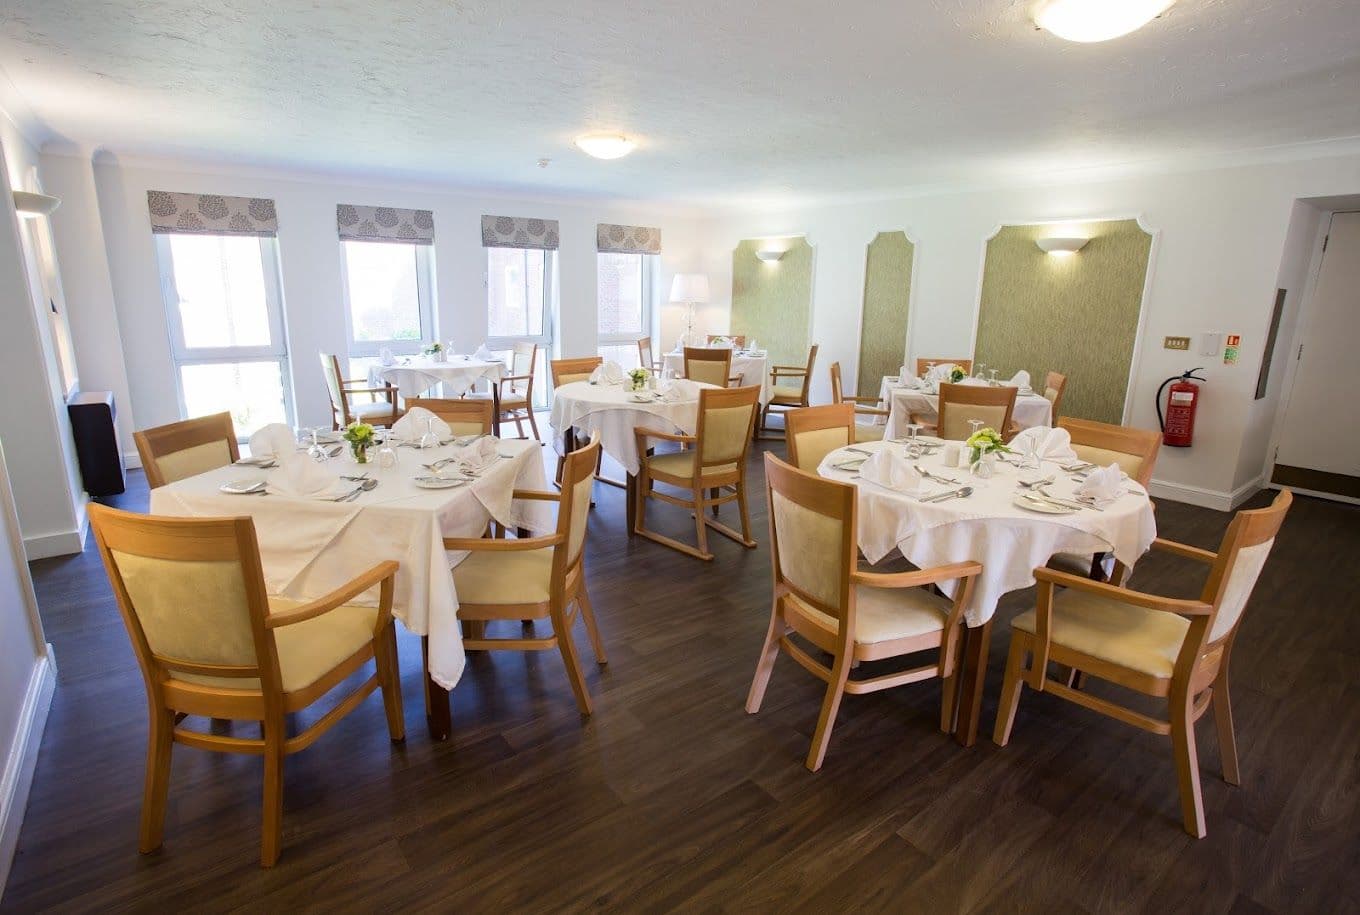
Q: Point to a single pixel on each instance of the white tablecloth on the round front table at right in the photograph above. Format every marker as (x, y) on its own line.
(988, 528)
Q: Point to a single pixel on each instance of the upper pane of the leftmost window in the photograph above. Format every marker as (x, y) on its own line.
(221, 286)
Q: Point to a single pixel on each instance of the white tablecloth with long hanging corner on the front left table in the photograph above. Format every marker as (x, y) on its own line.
(309, 547)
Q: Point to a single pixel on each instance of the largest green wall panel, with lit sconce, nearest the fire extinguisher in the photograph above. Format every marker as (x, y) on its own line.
(1075, 315)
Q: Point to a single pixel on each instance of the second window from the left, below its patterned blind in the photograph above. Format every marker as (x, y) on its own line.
(388, 300)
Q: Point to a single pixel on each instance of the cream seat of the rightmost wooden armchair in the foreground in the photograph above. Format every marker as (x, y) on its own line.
(1131, 637)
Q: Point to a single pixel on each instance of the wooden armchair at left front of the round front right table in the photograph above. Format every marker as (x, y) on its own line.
(822, 598)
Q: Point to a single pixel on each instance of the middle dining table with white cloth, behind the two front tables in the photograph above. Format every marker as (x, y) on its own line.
(583, 410)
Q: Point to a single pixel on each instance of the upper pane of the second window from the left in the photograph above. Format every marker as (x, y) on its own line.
(384, 293)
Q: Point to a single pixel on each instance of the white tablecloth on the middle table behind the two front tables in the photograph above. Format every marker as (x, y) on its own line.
(609, 410)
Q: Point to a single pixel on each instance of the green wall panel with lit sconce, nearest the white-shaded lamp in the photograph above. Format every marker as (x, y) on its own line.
(773, 303)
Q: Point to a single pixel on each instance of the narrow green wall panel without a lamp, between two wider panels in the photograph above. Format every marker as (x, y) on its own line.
(887, 292)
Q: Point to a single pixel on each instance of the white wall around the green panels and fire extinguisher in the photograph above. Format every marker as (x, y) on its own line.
(1221, 243)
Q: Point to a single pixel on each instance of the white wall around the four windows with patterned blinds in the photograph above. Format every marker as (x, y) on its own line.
(312, 269)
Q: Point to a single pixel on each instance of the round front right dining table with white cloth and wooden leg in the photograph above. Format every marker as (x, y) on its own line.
(1010, 528)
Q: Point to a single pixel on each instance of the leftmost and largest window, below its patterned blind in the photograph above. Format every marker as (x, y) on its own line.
(226, 327)
